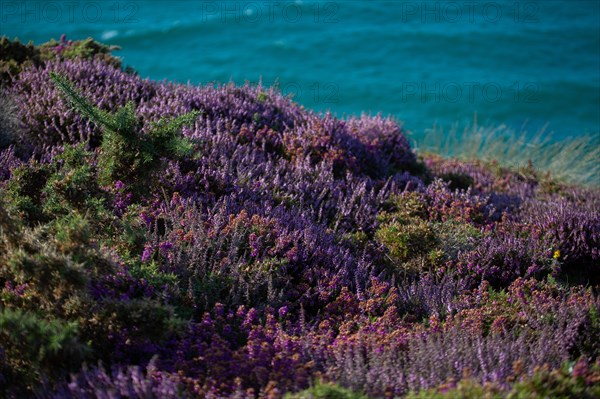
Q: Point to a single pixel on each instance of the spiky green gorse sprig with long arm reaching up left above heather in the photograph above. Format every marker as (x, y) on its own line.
(127, 154)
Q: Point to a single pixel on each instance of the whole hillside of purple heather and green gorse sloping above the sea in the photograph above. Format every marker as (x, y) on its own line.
(225, 242)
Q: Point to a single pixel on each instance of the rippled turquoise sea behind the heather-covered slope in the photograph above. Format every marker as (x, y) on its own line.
(521, 63)
